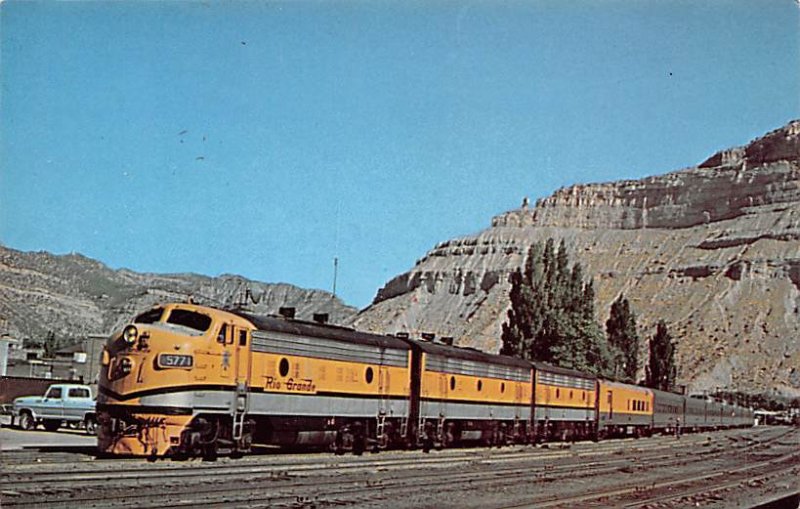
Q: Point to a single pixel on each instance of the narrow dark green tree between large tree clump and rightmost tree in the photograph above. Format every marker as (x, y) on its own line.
(623, 339)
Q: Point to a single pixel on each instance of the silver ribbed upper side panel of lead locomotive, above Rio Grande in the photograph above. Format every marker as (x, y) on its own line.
(321, 348)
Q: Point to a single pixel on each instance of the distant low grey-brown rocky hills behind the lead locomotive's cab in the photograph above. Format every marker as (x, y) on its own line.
(73, 295)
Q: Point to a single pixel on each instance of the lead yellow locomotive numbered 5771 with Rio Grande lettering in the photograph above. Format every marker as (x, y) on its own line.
(184, 379)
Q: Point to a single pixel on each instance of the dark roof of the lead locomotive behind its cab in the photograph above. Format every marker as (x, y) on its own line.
(309, 329)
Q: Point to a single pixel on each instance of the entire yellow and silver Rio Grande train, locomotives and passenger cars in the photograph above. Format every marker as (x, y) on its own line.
(188, 380)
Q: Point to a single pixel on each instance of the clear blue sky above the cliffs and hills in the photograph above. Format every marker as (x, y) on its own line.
(265, 138)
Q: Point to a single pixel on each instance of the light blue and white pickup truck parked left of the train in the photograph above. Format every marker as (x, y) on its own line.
(62, 403)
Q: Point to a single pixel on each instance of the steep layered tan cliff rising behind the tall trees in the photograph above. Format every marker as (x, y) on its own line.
(713, 250)
